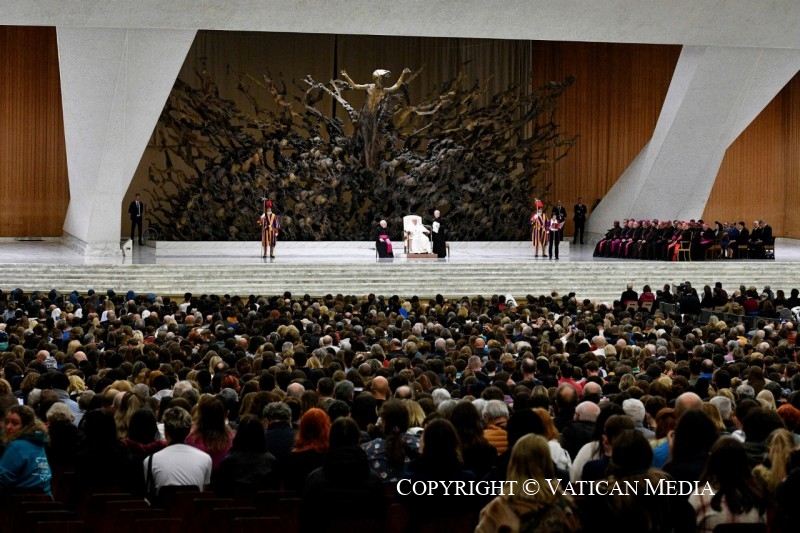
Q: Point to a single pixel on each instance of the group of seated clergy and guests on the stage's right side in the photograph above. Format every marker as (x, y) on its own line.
(664, 240)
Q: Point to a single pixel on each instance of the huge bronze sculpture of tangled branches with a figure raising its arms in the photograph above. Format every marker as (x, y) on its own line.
(474, 154)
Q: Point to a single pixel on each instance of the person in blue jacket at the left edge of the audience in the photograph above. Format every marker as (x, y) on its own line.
(24, 462)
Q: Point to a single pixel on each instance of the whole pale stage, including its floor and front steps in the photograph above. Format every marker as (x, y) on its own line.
(351, 267)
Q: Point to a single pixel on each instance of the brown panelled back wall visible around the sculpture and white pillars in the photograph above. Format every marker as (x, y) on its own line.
(612, 107)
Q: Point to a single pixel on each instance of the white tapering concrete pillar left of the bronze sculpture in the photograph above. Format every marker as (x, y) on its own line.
(114, 83)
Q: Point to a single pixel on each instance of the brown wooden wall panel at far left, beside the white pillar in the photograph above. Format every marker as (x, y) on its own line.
(34, 189)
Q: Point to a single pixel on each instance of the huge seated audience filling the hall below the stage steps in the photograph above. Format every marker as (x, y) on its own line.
(334, 399)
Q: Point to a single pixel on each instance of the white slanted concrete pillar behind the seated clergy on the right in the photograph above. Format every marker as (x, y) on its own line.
(715, 93)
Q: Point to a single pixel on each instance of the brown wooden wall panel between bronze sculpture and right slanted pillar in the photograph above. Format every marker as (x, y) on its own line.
(613, 107)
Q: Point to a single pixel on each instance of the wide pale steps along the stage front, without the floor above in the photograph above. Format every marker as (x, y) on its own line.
(600, 280)
